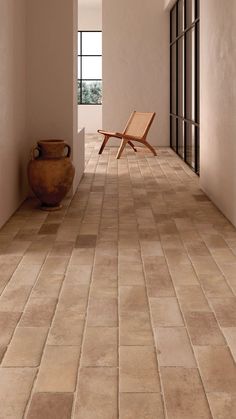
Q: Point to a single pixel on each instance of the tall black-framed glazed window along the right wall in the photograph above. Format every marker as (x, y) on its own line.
(184, 81)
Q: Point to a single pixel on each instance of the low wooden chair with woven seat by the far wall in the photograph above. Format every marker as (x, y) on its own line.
(136, 129)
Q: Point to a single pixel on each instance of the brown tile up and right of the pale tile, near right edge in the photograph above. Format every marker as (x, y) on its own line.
(203, 328)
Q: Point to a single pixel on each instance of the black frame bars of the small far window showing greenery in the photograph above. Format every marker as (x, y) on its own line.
(81, 79)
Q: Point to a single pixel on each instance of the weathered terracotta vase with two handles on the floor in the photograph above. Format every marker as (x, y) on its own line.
(50, 172)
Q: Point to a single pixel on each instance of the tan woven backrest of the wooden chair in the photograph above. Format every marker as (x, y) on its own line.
(139, 123)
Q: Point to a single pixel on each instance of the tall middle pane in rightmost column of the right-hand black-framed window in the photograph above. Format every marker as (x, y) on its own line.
(190, 75)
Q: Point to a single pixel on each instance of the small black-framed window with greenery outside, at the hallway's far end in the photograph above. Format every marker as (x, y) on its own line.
(89, 67)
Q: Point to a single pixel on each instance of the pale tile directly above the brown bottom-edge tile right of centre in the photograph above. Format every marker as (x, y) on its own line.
(174, 348)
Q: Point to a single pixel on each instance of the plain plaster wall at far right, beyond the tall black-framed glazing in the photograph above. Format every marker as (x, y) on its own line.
(218, 103)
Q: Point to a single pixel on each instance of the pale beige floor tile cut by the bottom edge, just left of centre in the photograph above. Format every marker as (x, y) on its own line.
(97, 395)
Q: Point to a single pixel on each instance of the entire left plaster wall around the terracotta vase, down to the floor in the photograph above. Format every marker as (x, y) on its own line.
(38, 56)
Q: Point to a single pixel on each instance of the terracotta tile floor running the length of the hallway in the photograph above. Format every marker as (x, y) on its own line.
(122, 304)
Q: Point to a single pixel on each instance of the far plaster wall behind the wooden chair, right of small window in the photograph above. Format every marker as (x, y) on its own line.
(136, 64)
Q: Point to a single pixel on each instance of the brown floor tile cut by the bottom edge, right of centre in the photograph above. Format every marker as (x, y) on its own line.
(181, 385)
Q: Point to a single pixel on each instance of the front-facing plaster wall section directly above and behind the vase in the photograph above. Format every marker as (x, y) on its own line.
(51, 72)
